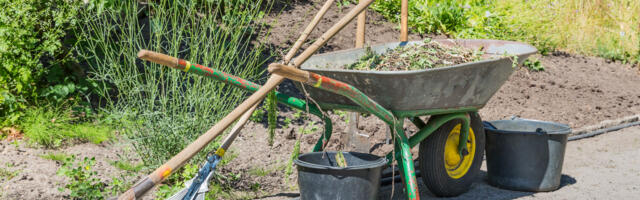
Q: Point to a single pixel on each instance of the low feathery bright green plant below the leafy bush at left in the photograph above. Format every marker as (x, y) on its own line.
(54, 126)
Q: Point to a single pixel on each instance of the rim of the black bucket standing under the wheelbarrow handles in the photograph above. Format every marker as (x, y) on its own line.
(381, 161)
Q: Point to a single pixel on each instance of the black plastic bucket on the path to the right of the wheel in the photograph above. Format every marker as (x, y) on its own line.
(525, 155)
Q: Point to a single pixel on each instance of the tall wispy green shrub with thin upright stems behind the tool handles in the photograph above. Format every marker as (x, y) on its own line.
(170, 108)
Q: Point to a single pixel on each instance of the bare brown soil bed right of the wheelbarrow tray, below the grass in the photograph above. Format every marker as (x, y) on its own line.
(575, 90)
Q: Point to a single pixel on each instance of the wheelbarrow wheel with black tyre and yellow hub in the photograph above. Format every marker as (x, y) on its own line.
(444, 171)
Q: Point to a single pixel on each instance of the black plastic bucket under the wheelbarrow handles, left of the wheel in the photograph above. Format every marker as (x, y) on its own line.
(319, 177)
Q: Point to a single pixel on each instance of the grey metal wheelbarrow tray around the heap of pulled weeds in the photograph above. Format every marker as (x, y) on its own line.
(427, 91)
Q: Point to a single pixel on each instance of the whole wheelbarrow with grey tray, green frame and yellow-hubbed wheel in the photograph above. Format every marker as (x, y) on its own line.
(451, 141)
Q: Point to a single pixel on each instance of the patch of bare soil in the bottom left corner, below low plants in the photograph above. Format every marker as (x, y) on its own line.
(36, 176)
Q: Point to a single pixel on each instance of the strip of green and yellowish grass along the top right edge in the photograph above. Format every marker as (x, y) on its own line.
(607, 29)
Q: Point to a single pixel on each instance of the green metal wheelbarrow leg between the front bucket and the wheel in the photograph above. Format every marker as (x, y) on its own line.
(405, 162)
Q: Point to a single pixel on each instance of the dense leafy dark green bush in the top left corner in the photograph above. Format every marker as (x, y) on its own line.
(36, 55)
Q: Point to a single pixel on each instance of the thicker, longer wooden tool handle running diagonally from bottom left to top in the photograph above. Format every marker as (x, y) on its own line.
(187, 153)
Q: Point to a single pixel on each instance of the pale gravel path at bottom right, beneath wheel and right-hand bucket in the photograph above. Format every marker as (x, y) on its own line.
(602, 167)
